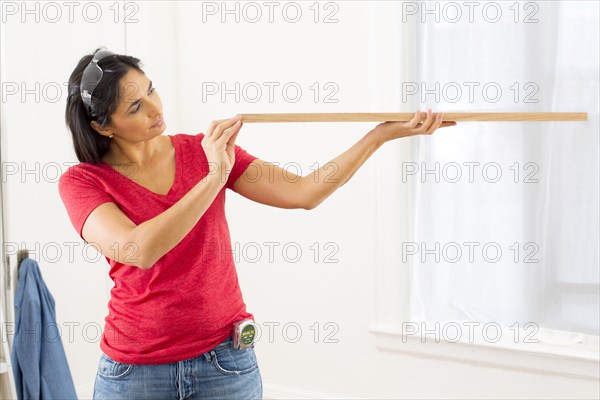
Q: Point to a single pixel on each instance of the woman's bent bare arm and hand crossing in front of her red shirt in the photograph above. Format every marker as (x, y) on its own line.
(118, 238)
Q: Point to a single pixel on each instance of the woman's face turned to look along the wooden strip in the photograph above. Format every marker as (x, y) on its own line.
(139, 108)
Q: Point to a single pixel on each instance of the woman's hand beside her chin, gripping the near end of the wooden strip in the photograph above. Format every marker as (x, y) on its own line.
(219, 144)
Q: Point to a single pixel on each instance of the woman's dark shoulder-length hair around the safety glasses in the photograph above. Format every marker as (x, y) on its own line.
(90, 145)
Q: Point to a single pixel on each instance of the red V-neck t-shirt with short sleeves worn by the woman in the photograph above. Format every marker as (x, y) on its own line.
(187, 302)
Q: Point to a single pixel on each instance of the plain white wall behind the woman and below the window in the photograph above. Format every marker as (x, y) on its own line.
(180, 52)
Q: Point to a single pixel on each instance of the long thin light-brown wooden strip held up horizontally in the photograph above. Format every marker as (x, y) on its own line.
(448, 116)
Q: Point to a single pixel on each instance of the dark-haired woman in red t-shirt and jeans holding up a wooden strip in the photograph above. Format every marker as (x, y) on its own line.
(153, 205)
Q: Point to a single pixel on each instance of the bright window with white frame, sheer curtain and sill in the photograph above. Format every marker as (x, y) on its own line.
(518, 199)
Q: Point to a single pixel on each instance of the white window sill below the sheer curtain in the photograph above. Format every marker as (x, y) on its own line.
(577, 360)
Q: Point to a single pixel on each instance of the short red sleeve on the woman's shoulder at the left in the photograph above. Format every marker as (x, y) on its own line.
(80, 195)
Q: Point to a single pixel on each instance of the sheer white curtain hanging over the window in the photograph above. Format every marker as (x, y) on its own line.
(544, 207)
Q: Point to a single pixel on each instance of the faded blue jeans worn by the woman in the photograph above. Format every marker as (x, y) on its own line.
(221, 373)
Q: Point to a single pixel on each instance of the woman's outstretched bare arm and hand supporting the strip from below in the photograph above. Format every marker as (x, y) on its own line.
(269, 184)
